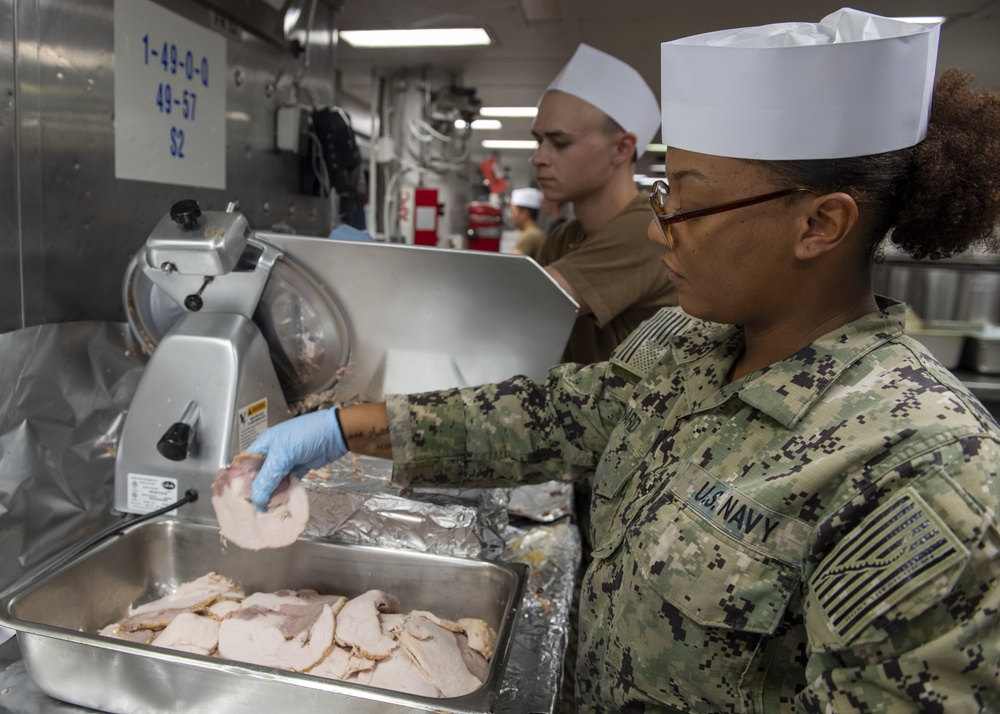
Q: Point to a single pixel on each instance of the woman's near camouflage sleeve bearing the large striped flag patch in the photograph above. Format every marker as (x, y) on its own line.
(902, 612)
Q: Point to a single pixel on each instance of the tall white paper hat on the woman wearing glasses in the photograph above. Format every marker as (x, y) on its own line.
(853, 84)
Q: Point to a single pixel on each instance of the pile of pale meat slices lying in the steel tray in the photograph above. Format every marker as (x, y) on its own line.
(365, 639)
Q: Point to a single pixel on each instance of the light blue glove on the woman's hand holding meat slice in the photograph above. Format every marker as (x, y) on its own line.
(295, 447)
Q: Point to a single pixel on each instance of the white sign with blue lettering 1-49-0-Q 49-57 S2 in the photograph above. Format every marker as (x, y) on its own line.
(170, 98)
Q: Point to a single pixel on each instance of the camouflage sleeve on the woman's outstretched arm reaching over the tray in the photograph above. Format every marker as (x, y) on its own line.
(515, 431)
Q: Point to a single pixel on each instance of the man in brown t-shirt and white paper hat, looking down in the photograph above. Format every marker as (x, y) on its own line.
(594, 120)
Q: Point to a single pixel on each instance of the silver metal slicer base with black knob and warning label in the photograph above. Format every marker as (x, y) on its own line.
(221, 362)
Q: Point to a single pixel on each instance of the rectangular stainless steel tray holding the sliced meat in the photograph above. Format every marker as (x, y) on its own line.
(57, 615)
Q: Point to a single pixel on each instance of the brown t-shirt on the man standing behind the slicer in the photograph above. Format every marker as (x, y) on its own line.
(617, 270)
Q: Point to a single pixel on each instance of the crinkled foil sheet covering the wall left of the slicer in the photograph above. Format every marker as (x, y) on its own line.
(64, 390)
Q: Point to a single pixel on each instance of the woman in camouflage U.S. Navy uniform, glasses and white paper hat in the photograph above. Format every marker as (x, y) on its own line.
(795, 505)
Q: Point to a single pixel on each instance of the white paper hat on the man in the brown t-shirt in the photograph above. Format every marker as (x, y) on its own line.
(615, 88)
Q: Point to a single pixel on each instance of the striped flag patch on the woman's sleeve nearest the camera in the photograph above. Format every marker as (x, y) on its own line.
(903, 553)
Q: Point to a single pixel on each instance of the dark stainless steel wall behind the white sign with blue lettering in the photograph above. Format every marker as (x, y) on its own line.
(79, 225)
